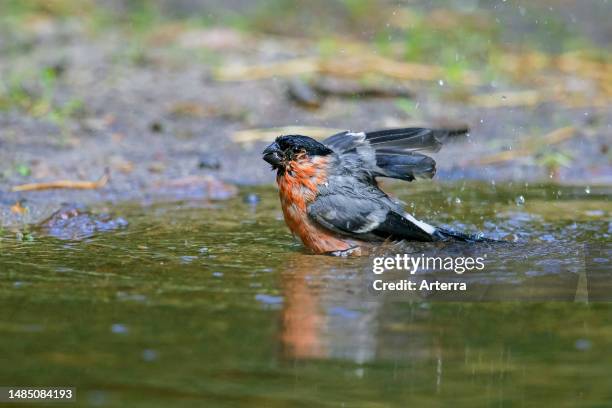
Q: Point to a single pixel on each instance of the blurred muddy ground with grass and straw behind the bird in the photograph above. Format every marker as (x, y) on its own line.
(160, 90)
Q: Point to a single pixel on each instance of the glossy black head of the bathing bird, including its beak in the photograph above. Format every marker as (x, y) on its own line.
(288, 148)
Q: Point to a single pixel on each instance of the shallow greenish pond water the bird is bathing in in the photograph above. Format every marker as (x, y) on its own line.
(214, 304)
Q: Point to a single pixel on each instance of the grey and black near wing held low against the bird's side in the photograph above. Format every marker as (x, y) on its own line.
(366, 217)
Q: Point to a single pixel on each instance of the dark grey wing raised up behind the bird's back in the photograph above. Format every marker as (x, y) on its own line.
(393, 152)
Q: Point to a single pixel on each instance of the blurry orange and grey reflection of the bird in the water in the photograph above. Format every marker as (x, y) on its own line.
(324, 315)
